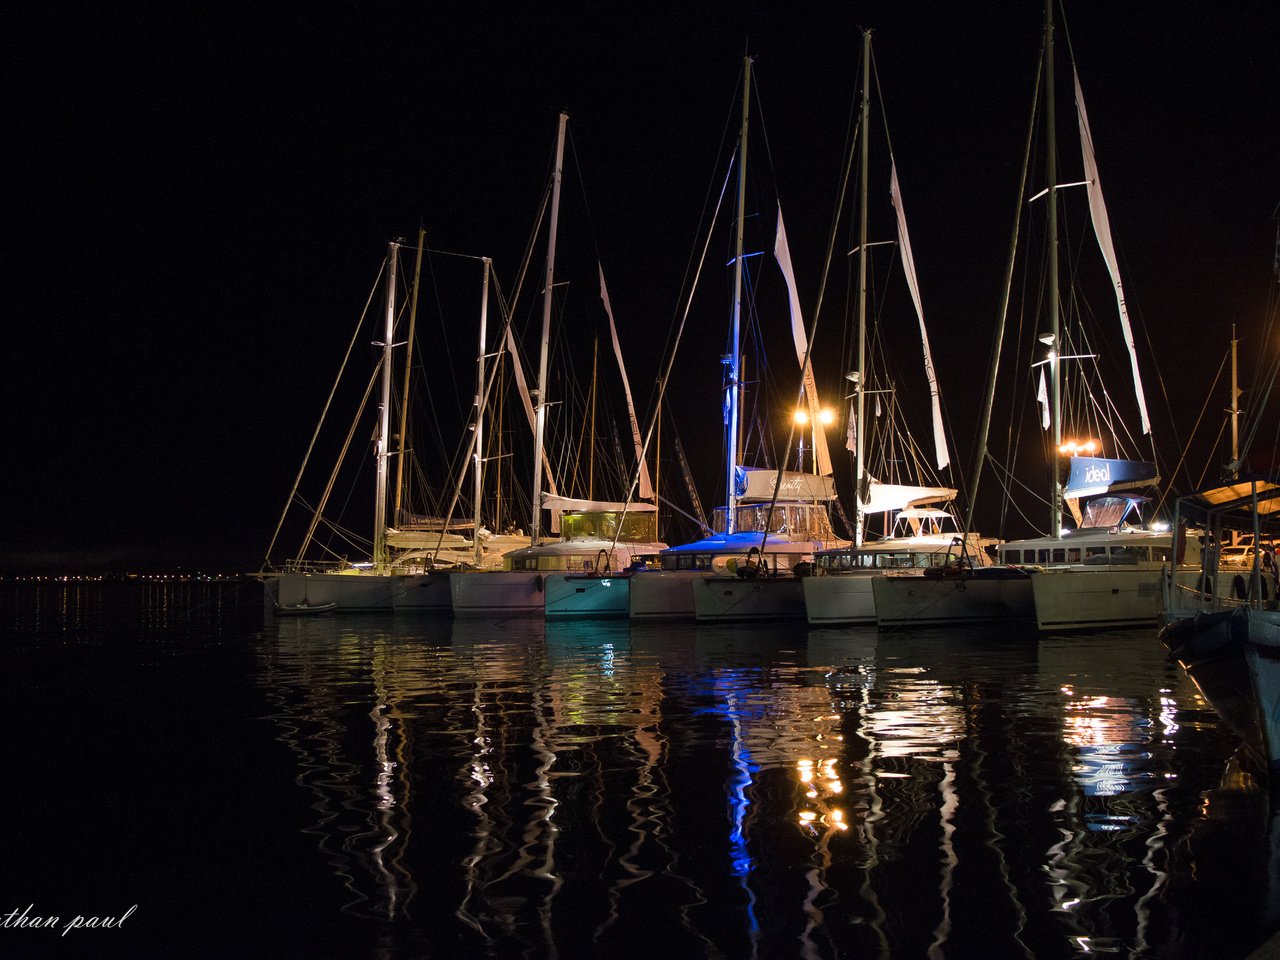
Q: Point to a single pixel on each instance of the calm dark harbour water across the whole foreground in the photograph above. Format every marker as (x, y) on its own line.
(412, 788)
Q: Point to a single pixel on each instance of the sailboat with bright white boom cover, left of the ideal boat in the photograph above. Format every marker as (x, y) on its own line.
(921, 534)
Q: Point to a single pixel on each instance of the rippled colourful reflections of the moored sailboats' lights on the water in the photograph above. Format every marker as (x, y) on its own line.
(762, 792)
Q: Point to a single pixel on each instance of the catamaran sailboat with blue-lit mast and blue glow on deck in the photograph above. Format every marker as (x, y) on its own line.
(772, 522)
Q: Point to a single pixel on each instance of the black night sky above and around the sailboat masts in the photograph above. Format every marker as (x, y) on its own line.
(200, 196)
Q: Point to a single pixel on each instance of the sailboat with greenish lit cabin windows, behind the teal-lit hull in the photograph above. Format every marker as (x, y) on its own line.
(595, 536)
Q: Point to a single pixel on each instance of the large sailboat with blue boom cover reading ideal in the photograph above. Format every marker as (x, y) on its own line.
(1108, 573)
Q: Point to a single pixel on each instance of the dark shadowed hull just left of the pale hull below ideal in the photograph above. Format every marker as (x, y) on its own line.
(920, 601)
